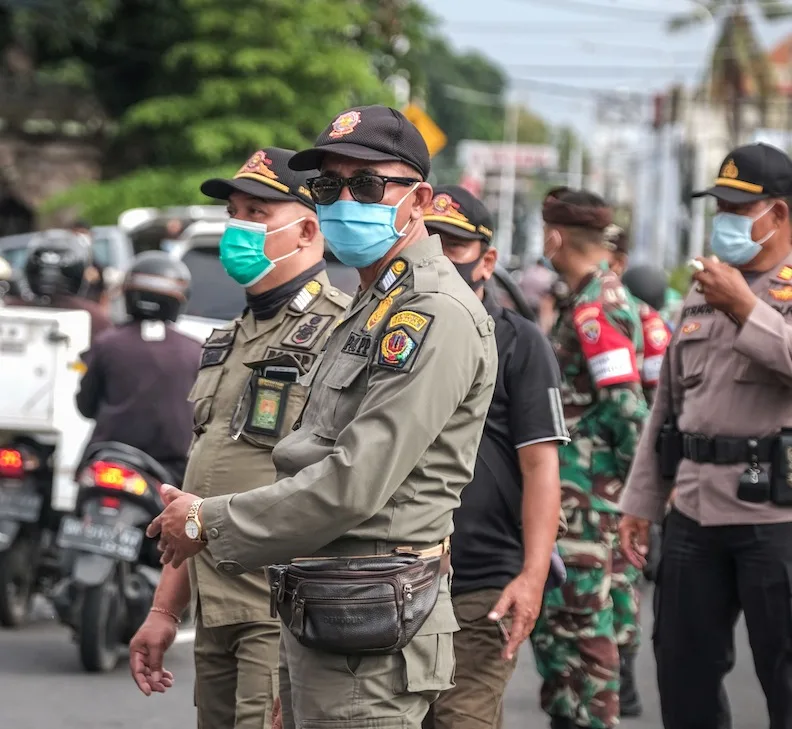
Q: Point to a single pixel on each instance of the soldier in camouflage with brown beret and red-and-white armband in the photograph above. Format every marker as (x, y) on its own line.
(599, 343)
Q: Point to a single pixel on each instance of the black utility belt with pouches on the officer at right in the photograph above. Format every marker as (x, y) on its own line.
(758, 484)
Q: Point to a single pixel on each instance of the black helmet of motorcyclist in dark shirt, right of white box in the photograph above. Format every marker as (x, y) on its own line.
(156, 286)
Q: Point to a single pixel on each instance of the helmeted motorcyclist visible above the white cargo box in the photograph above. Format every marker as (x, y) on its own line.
(55, 272)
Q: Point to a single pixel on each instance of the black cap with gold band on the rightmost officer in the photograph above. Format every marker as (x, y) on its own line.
(750, 173)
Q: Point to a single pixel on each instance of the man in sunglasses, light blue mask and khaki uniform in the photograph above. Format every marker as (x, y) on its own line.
(389, 435)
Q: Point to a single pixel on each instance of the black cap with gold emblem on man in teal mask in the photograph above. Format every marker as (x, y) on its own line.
(266, 175)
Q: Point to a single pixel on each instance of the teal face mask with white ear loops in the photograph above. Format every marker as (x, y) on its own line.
(242, 251)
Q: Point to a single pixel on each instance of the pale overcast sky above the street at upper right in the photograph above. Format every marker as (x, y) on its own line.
(556, 51)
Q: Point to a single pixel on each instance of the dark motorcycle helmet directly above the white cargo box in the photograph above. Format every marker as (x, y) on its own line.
(56, 263)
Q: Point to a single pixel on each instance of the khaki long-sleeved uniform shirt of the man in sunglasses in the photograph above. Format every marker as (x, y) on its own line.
(390, 433)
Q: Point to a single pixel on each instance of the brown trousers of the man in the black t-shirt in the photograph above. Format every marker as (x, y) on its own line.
(476, 702)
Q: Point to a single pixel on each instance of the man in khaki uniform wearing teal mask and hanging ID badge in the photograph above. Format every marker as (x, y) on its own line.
(243, 407)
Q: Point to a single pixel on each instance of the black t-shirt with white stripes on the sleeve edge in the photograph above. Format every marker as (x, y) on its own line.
(487, 548)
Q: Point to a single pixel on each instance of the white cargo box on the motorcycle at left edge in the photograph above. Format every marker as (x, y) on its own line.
(40, 371)
